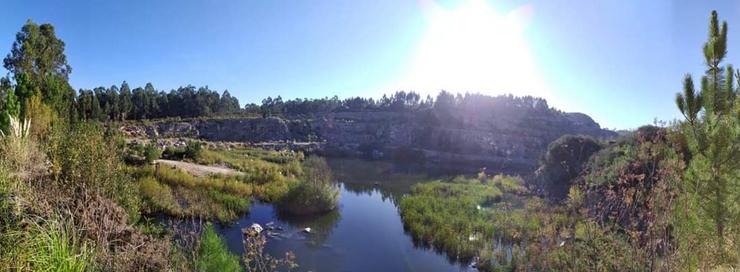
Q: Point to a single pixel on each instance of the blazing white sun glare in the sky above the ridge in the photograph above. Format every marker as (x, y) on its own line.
(474, 48)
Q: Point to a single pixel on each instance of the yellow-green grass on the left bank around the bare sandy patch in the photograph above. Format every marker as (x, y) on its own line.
(267, 175)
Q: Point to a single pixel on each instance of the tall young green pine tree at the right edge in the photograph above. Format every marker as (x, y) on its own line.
(714, 135)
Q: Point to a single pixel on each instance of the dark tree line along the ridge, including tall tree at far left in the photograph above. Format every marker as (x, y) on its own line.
(37, 84)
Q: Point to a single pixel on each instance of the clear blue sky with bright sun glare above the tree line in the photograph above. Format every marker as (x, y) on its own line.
(621, 62)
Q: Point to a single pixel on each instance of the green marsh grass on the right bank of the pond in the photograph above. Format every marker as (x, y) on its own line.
(510, 230)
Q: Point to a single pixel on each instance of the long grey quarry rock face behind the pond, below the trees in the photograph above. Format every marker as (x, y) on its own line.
(508, 143)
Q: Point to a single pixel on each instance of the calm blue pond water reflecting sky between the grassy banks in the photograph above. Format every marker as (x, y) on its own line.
(365, 233)
